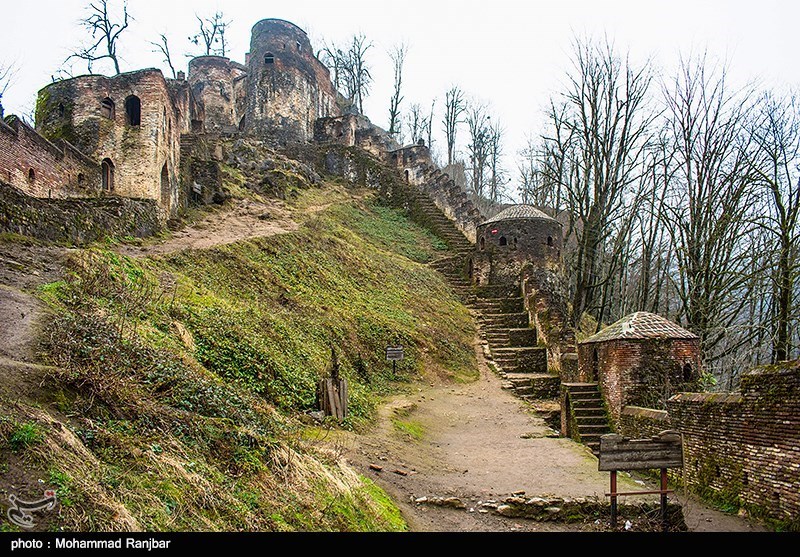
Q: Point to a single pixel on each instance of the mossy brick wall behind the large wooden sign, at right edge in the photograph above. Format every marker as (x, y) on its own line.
(747, 445)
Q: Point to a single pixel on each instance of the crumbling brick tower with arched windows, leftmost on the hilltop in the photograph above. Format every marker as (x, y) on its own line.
(129, 123)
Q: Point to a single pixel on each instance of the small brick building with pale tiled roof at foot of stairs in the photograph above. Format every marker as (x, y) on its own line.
(641, 360)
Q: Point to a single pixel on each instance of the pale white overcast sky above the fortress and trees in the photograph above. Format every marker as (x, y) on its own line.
(511, 54)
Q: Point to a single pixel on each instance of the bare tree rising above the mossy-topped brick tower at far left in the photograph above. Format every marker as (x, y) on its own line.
(105, 31)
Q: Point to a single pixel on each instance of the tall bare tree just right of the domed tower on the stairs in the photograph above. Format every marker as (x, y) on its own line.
(594, 148)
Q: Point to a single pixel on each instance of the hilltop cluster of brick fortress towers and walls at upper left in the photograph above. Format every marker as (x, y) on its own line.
(124, 136)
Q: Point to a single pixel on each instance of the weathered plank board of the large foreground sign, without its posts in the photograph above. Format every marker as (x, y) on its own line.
(664, 450)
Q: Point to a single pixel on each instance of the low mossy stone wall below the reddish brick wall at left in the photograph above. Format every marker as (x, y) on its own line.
(76, 221)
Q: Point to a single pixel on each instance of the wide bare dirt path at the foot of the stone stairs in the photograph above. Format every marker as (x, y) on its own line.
(479, 443)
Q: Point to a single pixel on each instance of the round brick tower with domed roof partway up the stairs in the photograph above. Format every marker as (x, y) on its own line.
(517, 236)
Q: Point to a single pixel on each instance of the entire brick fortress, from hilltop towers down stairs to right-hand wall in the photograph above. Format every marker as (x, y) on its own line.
(130, 151)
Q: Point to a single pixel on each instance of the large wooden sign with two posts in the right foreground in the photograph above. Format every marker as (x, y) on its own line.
(663, 451)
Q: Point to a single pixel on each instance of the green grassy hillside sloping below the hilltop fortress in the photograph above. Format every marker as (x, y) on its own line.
(181, 383)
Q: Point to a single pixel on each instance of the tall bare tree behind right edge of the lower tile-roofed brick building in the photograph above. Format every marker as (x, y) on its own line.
(711, 191)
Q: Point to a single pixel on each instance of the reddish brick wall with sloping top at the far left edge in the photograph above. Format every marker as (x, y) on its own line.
(59, 170)
